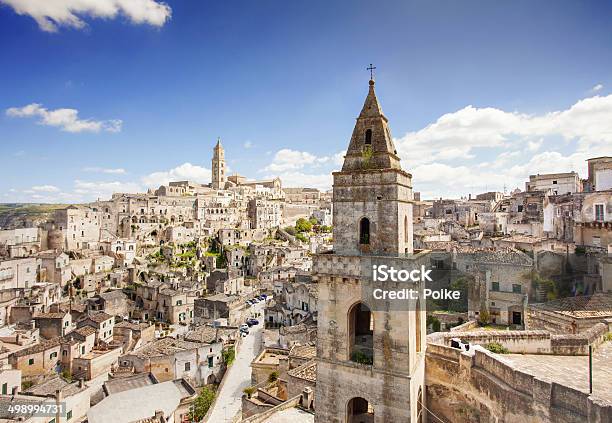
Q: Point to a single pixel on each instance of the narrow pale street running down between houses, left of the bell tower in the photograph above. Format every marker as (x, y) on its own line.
(238, 376)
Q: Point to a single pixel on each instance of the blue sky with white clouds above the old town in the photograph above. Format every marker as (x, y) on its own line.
(103, 96)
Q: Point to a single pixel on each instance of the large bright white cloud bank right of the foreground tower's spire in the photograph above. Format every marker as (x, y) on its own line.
(456, 136)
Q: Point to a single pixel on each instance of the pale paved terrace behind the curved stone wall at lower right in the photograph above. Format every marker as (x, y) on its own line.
(572, 371)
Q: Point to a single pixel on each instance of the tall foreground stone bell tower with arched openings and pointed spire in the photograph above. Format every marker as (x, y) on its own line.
(370, 353)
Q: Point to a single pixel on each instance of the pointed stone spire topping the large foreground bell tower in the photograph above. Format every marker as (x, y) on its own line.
(371, 145)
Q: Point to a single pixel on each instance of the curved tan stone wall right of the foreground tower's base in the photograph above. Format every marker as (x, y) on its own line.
(478, 387)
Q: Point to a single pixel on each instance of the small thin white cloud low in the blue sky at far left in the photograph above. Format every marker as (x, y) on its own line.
(66, 119)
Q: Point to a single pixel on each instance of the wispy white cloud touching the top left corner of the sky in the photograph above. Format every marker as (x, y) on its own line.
(51, 14)
